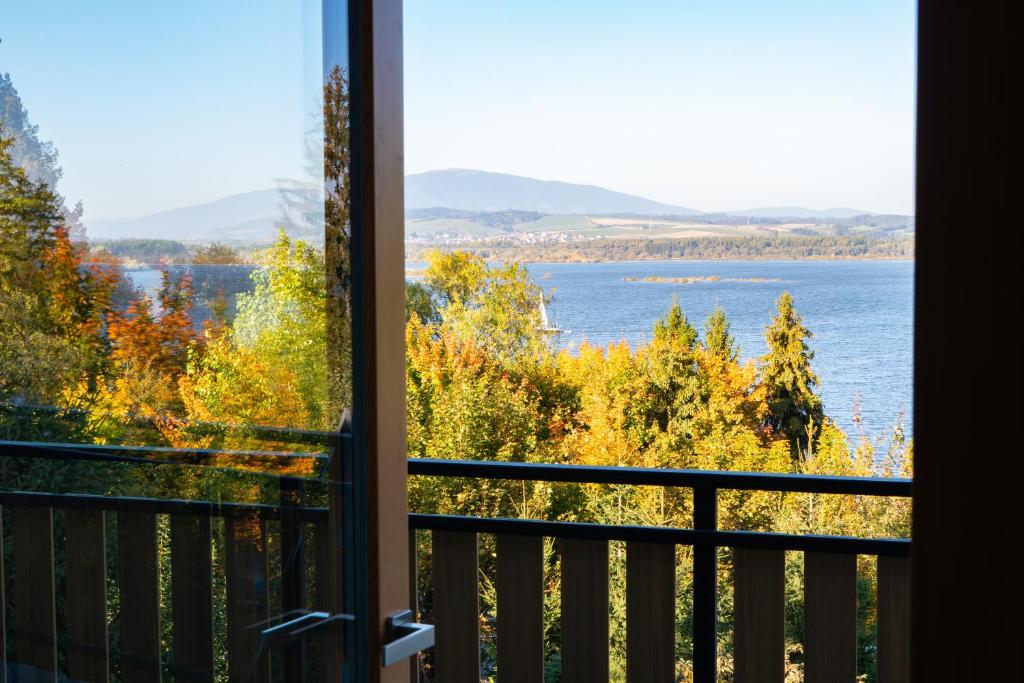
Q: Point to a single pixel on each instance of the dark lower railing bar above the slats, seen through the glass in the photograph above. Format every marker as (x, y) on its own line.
(159, 506)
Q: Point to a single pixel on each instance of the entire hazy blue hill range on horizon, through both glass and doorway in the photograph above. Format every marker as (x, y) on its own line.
(480, 202)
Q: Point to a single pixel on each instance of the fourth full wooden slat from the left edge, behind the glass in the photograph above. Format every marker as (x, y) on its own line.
(192, 599)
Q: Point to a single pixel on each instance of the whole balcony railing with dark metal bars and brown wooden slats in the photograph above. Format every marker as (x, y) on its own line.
(281, 532)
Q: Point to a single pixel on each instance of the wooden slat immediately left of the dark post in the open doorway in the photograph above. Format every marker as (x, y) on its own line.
(651, 613)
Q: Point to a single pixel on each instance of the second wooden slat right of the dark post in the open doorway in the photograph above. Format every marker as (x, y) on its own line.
(830, 618)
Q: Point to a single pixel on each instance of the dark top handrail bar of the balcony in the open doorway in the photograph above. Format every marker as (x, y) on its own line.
(778, 482)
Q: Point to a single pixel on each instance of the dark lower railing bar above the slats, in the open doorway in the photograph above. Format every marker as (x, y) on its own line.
(682, 537)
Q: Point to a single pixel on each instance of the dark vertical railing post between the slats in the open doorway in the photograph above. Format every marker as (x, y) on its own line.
(705, 588)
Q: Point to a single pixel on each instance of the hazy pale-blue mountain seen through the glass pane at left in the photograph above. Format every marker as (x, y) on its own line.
(249, 217)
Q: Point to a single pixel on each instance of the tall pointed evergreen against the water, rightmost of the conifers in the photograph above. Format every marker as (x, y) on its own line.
(794, 409)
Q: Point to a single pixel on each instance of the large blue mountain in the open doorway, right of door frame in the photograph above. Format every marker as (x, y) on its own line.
(483, 191)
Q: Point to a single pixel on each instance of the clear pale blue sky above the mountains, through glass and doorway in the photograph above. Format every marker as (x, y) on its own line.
(713, 105)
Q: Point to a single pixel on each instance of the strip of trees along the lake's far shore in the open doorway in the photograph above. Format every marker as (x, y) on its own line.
(717, 248)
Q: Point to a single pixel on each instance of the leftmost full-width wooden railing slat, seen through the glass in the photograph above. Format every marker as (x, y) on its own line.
(35, 617)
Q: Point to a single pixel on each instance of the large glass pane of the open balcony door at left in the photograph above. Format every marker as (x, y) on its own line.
(176, 355)
